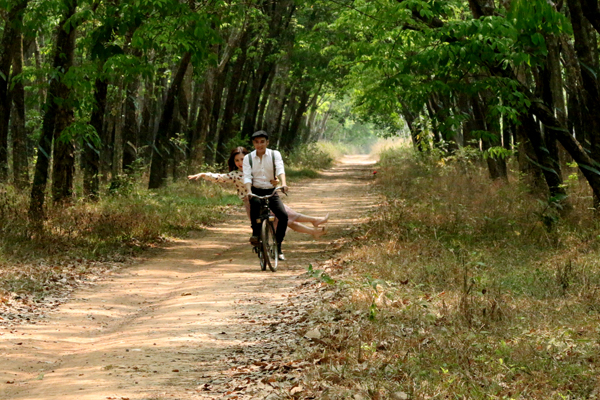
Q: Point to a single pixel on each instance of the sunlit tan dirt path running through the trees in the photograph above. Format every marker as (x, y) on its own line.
(164, 327)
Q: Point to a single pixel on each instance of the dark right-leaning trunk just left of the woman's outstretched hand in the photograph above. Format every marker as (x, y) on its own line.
(162, 149)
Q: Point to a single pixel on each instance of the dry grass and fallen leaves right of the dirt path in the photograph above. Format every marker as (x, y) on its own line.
(462, 288)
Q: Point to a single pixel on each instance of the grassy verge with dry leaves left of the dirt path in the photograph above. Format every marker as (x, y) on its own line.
(79, 239)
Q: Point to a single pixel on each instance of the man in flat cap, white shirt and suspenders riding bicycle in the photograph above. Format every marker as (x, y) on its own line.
(263, 169)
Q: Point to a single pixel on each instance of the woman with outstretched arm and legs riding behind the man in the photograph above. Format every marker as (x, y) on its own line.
(235, 178)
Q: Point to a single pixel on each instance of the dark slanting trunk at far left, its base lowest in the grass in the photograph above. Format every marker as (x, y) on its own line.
(63, 60)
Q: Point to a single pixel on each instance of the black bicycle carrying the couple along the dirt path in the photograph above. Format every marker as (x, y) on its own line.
(267, 250)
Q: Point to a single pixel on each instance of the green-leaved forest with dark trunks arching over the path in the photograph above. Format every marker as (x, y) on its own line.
(92, 90)
